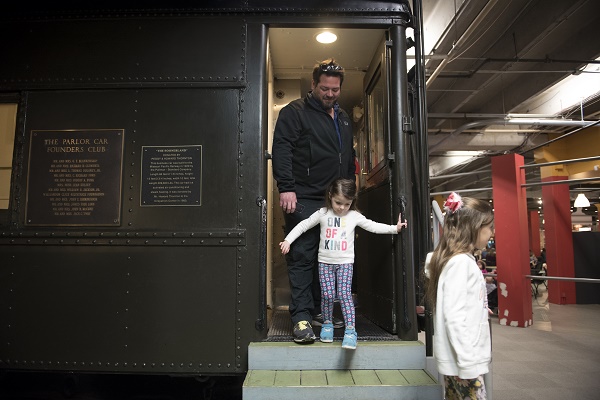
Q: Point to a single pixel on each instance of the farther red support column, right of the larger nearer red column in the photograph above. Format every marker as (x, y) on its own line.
(559, 240)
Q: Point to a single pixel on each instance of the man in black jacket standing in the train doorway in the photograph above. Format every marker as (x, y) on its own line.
(312, 146)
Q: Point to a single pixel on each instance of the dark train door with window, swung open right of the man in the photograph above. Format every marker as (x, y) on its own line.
(374, 258)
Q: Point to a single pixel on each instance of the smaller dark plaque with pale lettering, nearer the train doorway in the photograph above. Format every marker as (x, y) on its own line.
(171, 176)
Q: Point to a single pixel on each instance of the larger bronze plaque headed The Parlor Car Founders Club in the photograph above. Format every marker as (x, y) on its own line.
(74, 177)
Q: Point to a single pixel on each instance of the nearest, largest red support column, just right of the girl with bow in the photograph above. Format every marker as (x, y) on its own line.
(512, 241)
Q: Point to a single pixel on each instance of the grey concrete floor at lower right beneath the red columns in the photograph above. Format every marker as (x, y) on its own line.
(557, 358)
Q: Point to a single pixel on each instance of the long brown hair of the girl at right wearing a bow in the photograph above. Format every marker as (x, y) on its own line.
(461, 229)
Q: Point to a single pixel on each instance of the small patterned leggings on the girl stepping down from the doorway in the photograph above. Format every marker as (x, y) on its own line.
(329, 274)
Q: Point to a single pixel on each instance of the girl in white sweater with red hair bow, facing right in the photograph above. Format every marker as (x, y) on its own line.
(456, 293)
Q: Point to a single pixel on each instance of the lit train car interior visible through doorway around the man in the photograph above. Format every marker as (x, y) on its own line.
(292, 53)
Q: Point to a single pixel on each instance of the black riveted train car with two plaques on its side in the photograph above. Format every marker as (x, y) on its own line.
(134, 233)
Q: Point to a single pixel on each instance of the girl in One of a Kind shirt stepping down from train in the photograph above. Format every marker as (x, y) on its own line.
(336, 252)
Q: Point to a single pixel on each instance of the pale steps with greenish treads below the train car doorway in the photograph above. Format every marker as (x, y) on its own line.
(374, 370)
